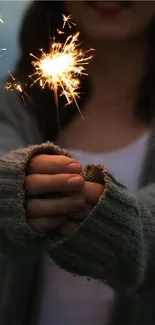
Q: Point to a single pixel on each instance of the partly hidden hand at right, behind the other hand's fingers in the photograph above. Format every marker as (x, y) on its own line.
(92, 193)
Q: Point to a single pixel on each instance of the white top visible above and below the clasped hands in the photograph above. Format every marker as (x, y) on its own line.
(69, 300)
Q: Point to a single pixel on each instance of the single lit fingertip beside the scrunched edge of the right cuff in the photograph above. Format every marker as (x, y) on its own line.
(92, 192)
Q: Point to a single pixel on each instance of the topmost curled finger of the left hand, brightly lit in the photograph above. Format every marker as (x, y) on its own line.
(53, 164)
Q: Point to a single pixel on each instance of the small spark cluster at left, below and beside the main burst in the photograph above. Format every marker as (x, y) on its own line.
(16, 86)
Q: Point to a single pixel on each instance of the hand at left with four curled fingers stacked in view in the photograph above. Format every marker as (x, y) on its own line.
(58, 178)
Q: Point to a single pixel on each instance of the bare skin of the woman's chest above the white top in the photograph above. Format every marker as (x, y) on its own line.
(98, 135)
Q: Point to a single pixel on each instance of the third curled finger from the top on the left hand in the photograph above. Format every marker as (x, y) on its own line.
(39, 208)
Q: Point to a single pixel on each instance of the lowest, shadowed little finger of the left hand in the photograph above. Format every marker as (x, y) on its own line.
(48, 223)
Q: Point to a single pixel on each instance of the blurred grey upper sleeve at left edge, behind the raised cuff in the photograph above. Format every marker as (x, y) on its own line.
(18, 126)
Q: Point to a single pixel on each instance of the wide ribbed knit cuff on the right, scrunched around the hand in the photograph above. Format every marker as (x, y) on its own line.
(108, 244)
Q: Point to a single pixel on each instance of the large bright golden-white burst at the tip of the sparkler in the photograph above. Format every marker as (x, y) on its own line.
(61, 68)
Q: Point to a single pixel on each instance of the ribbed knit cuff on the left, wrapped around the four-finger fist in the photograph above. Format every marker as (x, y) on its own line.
(12, 195)
